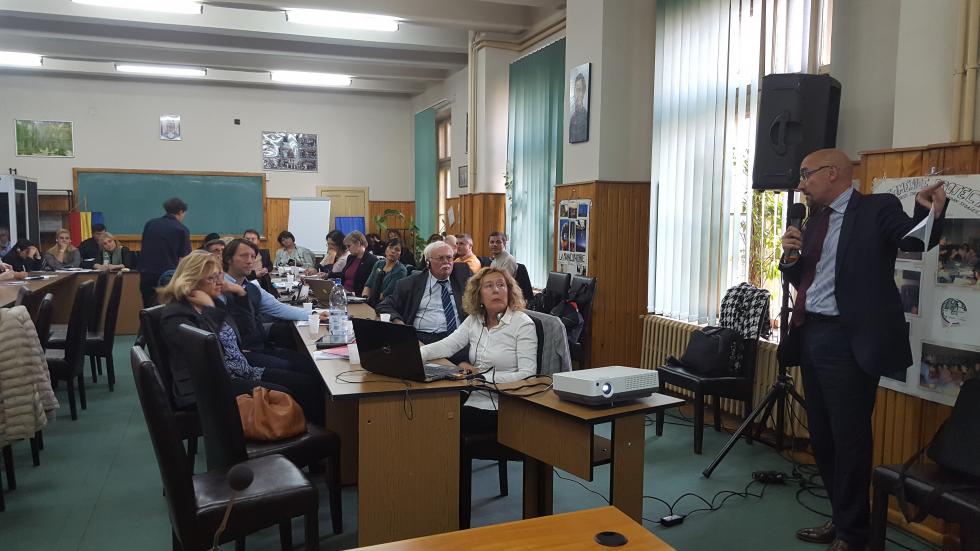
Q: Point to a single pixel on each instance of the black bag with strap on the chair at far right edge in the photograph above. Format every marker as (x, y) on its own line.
(955, 447)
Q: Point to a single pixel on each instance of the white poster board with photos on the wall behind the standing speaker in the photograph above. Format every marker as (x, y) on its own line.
(940, 293)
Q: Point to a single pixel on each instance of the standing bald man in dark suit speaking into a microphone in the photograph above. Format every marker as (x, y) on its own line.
(848, 326)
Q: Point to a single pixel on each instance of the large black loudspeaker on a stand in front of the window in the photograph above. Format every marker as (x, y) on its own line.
(797, 116)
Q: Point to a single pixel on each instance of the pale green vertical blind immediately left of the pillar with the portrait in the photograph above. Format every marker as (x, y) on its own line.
(534, 155)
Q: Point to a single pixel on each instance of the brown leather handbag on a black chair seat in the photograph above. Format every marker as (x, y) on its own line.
(270, 415)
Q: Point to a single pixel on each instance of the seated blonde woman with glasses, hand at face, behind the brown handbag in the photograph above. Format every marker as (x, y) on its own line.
(190, 297)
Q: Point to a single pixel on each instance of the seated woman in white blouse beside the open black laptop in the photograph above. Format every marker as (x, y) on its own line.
(503, 342)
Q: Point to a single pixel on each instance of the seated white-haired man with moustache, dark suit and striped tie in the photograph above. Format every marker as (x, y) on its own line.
(432, 300)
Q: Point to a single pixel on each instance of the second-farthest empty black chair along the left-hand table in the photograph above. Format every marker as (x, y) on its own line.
(68, 364)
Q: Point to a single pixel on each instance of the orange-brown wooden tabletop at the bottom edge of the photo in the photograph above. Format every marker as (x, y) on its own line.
(566, 532)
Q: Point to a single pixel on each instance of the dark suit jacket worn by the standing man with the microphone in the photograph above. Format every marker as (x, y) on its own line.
(868, 300)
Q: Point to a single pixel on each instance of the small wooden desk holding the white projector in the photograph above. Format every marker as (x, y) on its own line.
(555, 433)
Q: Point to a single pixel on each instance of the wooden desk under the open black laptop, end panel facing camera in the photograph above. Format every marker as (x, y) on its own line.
(399, 442)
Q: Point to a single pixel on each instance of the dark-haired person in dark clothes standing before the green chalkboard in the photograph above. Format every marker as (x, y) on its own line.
(165, 241)
